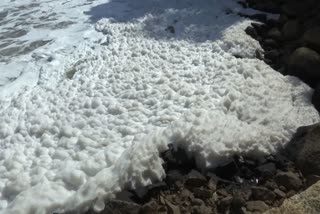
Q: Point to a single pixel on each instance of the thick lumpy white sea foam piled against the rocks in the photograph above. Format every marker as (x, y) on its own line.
(68, 143)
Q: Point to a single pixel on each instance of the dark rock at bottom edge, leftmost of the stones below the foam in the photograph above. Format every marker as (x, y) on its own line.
(123, 207)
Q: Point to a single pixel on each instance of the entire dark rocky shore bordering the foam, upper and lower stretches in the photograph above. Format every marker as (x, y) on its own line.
(292, 47)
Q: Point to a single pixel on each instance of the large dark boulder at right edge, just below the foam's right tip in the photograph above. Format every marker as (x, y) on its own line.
(304, 149)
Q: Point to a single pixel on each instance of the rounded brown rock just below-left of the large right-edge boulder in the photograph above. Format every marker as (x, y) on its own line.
(289, 180)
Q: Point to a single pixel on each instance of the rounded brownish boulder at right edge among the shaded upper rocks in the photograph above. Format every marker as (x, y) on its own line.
(304, 63)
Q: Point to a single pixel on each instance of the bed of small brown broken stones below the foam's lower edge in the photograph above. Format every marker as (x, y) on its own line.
(242, 186)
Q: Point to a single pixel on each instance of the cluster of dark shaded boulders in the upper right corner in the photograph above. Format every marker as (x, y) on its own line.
(291, 43)
